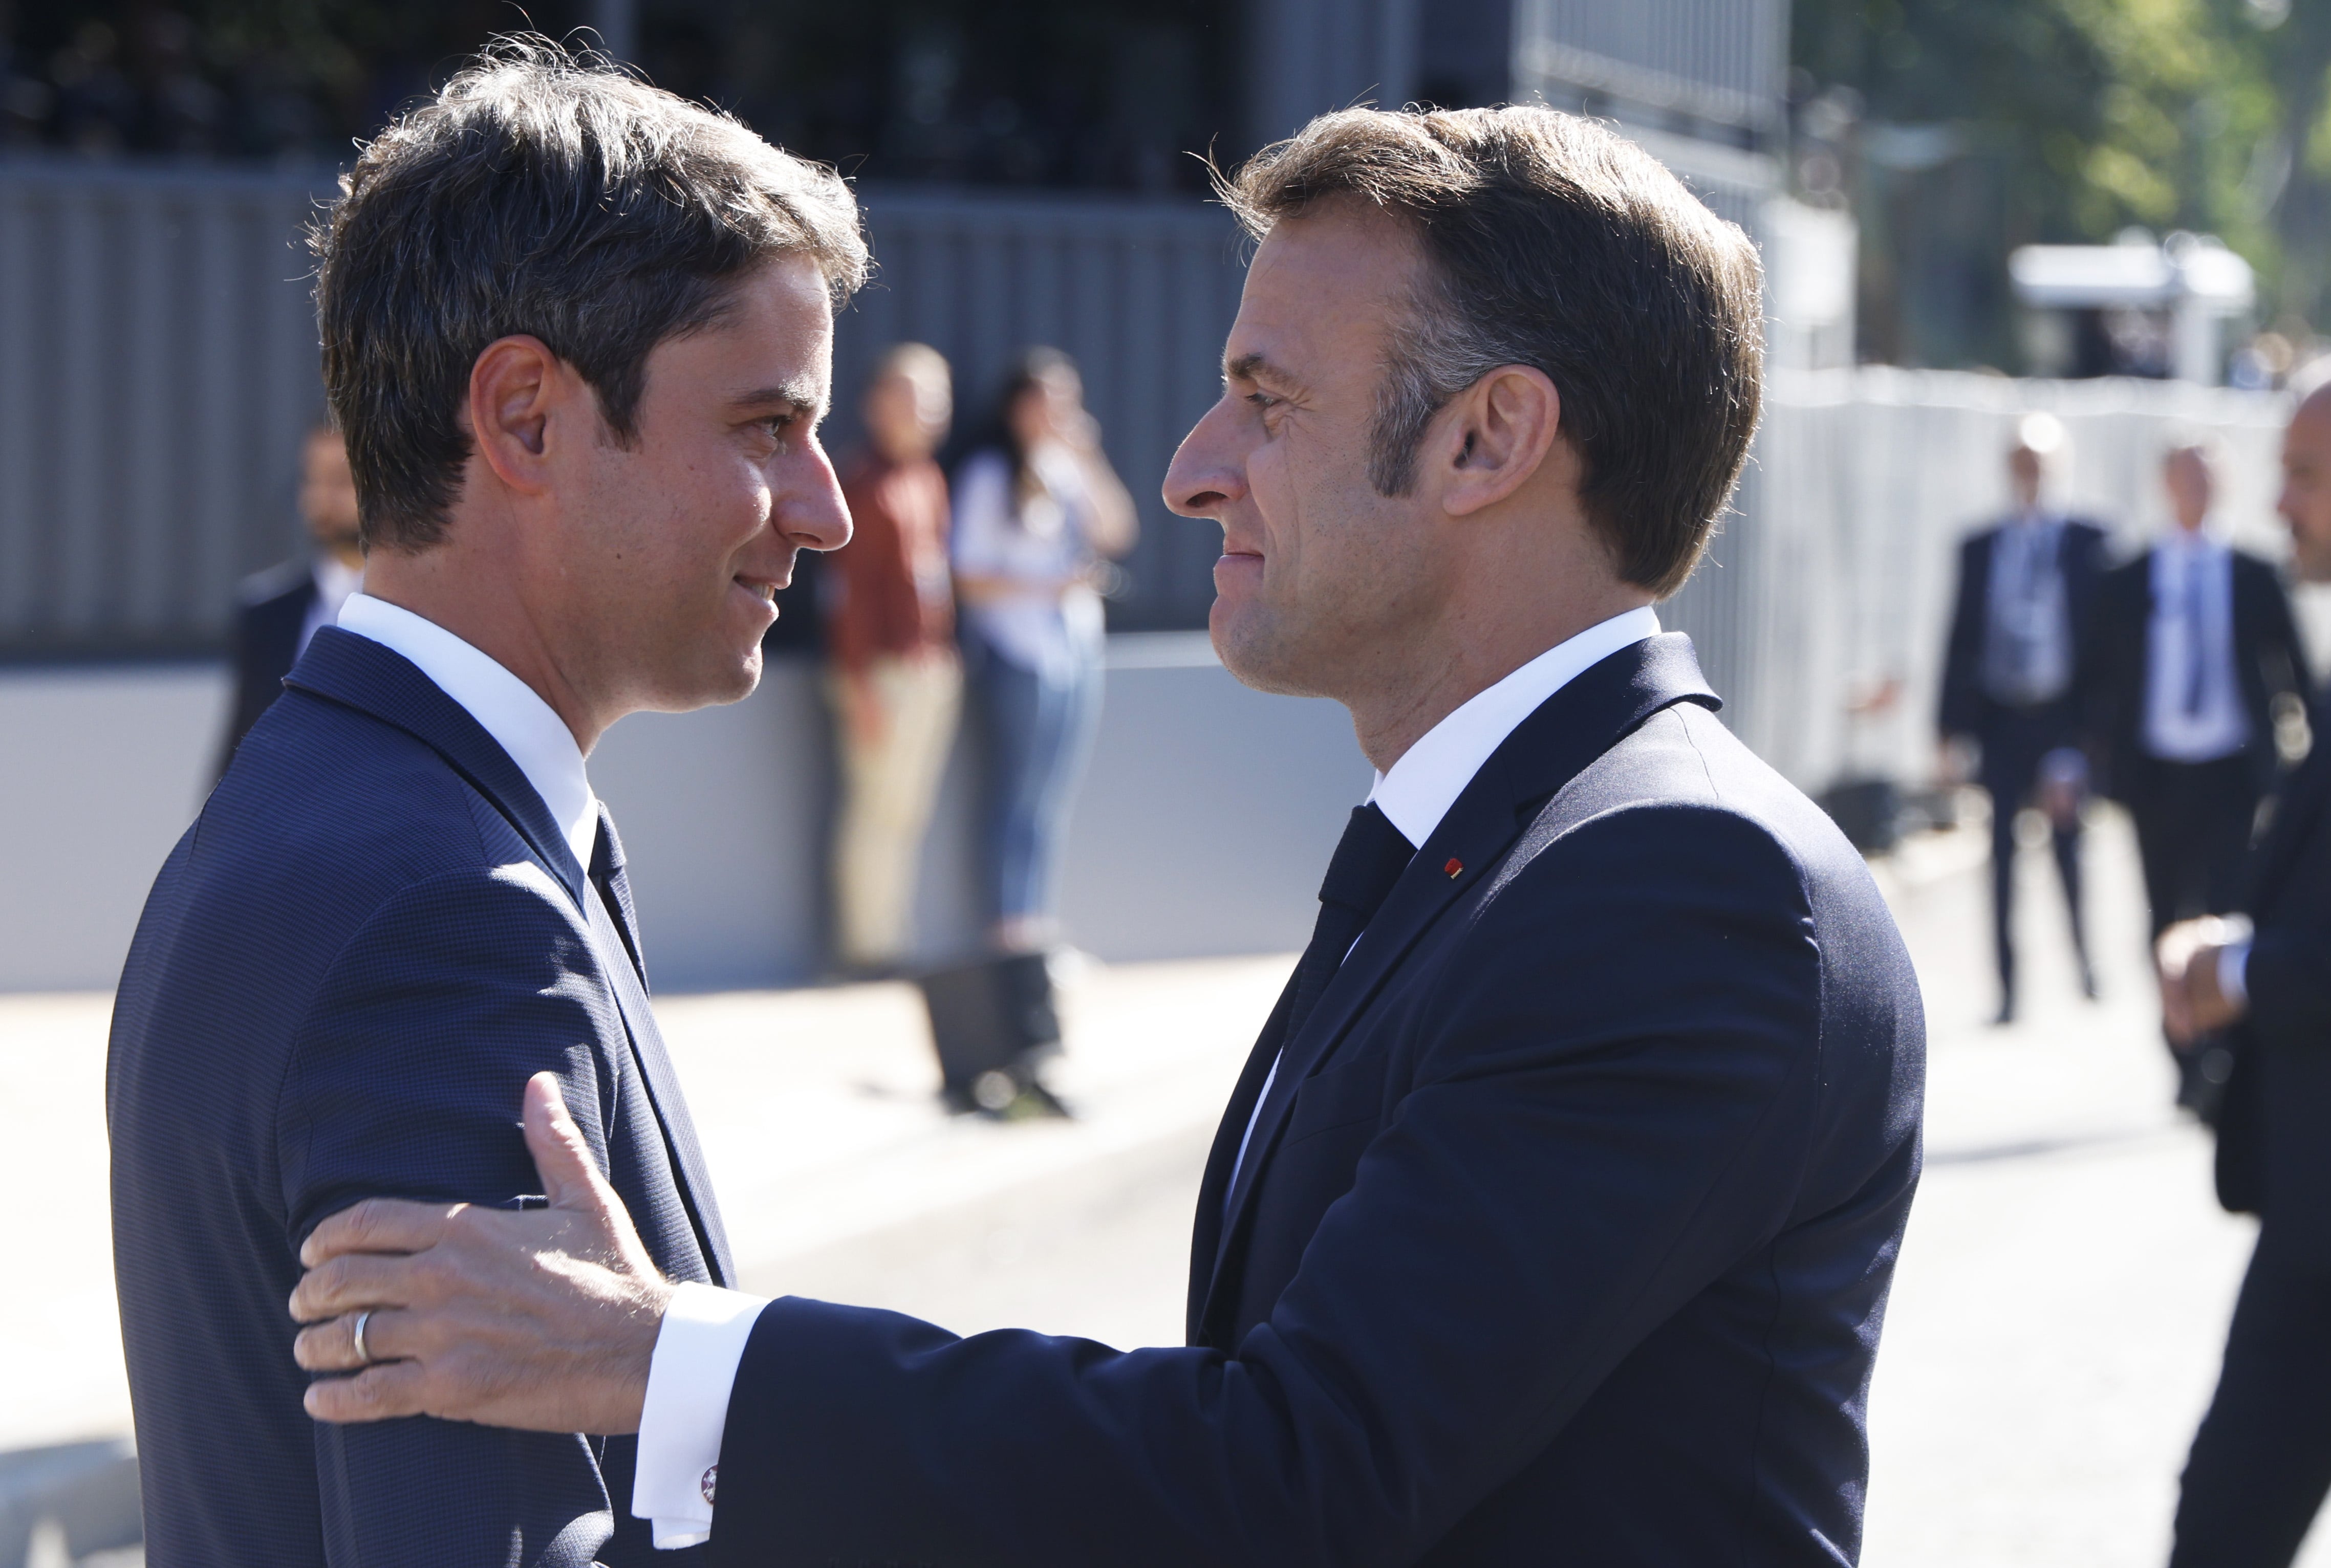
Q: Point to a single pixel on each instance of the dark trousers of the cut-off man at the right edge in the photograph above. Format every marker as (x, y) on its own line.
(2262, 1457)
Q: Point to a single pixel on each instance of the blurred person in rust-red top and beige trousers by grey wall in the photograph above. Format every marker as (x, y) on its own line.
(894, 674)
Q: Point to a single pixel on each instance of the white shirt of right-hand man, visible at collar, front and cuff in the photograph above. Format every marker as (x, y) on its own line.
(705, 1329)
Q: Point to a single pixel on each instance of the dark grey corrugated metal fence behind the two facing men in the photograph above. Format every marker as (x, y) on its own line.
(160, 369)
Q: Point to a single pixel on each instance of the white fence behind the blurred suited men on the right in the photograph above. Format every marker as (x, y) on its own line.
(1843, 565)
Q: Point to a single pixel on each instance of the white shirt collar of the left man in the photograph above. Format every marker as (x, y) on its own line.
(505, 707)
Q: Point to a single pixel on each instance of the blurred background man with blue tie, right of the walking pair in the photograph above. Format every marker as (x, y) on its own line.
(2192, 647)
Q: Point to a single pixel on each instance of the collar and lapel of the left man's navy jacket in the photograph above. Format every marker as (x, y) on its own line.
(362, 674)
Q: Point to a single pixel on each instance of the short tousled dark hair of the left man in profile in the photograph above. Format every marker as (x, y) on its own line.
(547, 195)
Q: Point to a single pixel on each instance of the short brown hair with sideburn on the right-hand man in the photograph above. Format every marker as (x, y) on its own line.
(1561, 246)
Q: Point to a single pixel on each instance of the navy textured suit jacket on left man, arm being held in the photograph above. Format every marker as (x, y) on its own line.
(351, 966)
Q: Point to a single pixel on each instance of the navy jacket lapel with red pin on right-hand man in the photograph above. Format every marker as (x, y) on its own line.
(1544, 754)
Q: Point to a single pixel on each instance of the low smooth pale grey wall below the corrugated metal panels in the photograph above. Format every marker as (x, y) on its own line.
(1204, 824)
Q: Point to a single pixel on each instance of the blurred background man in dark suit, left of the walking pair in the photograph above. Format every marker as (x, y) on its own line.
(2024, 595)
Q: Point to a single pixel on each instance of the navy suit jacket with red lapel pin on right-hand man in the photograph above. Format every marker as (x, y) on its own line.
(1568, 1238)
